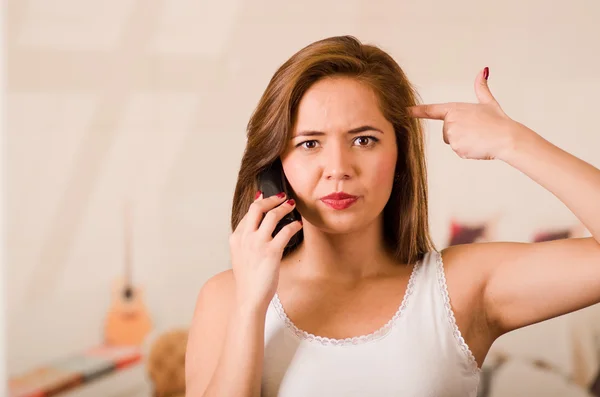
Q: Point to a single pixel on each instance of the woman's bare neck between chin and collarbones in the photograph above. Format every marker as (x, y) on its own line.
(347, 257)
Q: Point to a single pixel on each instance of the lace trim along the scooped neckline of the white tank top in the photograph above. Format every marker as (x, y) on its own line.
(356, 340)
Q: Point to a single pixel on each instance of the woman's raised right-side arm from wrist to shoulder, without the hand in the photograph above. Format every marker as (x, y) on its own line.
(529, 283)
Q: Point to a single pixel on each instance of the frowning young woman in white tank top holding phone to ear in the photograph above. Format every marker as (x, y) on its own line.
(364, 305)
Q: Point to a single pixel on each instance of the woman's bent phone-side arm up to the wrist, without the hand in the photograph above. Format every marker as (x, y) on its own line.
(226, 343)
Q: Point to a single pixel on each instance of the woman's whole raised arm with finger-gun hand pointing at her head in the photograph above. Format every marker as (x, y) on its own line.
(525, 283)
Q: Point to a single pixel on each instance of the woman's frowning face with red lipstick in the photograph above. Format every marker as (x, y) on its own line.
(341, 143)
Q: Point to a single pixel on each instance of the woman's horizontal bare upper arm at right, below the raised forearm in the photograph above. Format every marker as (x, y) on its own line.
(525, 283)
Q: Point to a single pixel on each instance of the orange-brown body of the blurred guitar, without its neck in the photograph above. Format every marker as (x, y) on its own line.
(128, 321)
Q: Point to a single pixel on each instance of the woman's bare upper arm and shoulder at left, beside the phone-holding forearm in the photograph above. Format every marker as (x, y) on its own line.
(207, 331)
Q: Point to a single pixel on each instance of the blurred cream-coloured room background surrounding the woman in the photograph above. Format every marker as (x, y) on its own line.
(125, 126)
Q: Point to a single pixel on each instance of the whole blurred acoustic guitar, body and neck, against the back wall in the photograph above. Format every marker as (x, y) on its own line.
(128, 321)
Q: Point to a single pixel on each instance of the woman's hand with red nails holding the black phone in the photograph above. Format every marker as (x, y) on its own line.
(255, 255)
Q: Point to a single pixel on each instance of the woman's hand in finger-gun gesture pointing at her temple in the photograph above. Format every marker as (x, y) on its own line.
(479, 131)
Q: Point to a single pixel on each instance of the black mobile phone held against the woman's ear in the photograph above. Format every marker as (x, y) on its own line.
(272, 181)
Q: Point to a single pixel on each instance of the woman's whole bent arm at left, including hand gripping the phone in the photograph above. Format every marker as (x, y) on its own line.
(225, 350)
